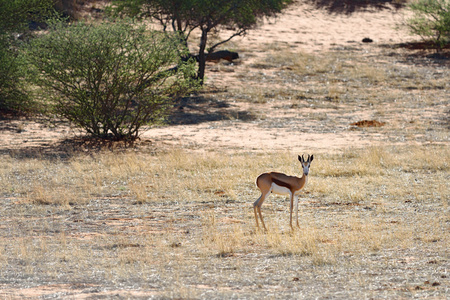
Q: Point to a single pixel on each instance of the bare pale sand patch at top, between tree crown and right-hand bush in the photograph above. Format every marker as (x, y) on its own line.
(308, 29)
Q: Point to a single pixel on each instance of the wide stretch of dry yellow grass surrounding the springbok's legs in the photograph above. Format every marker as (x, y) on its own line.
(180, 224)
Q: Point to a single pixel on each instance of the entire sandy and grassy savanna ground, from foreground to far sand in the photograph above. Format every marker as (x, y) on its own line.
(172, 217)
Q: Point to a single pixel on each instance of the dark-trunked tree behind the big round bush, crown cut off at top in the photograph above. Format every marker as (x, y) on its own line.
(184, 16)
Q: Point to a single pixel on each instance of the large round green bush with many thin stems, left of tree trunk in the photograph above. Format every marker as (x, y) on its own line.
(110, 78)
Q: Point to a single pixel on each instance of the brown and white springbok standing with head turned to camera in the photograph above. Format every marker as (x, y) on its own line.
(282, 184)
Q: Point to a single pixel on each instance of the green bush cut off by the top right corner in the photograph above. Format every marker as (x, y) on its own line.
(431, 20)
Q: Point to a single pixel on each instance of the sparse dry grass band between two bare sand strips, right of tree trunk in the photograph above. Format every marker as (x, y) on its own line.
(350, 77)
